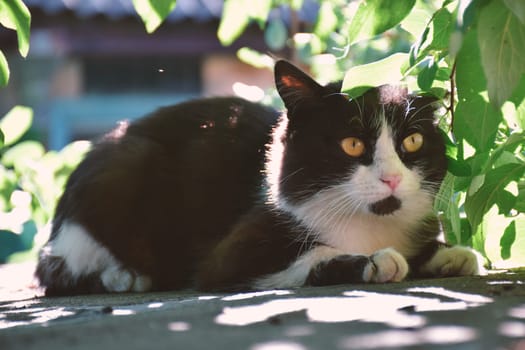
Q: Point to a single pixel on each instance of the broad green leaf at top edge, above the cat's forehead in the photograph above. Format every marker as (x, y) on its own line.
(373, 17)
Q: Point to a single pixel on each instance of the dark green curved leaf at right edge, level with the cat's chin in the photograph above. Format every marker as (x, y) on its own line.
(478, 203)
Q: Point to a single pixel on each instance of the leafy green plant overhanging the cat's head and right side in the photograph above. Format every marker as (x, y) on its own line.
(470, 53)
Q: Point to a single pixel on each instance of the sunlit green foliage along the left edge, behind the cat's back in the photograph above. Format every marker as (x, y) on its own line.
(31, 179)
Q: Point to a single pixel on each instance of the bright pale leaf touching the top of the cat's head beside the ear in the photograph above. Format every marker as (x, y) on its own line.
(386, 71)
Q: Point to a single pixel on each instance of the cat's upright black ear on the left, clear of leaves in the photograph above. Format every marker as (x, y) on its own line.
(294, 85)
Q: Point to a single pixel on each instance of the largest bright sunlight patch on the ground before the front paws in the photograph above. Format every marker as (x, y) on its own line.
(390, 309)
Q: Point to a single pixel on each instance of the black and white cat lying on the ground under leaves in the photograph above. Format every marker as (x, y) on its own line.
(224, 194)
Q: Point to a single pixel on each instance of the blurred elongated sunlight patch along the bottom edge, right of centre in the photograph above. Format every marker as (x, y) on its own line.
(444, 335)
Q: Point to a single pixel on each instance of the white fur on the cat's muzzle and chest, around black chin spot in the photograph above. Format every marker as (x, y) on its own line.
(339, 216)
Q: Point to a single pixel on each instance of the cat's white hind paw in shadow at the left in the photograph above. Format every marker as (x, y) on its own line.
(117, 279)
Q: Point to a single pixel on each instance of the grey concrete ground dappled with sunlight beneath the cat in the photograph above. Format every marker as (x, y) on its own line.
(455, 313)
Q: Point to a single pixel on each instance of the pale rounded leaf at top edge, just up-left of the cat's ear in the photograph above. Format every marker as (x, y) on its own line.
(234, 21)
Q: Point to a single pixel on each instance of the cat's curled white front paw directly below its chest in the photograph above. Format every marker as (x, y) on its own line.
(386, 265)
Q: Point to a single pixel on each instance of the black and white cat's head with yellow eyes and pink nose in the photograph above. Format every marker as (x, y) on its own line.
(378, 155)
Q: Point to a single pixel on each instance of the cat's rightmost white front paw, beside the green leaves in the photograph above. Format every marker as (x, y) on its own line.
(453, 261)
